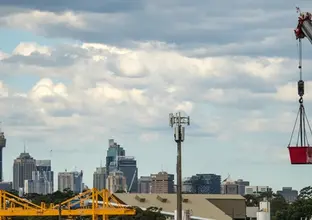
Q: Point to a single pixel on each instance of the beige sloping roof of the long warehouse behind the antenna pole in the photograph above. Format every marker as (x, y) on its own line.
(197, 203)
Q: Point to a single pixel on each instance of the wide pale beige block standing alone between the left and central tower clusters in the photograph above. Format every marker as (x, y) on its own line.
(70, 180)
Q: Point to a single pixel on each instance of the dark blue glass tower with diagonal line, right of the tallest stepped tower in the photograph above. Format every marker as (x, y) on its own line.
(128, 166)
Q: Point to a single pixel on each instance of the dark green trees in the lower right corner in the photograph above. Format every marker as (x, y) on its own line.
(280, 209)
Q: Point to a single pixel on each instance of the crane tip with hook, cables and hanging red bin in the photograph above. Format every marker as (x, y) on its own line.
(301, 153)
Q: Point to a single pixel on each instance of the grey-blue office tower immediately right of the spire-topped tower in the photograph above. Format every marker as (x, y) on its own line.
(43, 177)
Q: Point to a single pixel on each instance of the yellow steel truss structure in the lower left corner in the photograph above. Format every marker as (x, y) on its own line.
(11, 205)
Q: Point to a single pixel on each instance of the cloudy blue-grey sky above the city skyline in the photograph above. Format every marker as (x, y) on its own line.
(74, 74)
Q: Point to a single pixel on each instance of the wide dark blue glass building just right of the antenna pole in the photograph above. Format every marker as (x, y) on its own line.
(202, 184)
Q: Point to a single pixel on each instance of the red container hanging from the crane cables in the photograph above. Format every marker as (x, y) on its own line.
(300, 155)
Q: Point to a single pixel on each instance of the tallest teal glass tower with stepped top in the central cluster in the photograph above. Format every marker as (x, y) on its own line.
(114, 150)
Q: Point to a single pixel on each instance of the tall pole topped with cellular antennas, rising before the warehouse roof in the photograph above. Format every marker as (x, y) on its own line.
(177, 121)
